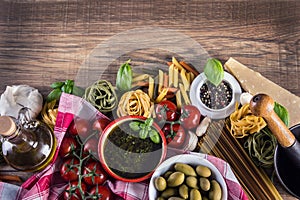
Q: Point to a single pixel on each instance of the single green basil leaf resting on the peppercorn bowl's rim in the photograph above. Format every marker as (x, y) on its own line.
(214, 71)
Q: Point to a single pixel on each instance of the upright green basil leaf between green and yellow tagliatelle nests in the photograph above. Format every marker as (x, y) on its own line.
(124, 77)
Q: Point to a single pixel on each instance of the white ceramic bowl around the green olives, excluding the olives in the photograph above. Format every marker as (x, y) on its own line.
(191, 159)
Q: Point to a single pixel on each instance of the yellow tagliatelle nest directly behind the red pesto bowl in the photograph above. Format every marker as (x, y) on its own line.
(134, 103)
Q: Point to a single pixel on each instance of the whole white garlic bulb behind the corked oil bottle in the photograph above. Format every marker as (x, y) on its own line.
(18, 96)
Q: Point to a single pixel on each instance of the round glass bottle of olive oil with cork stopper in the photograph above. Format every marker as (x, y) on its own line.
(27, 145)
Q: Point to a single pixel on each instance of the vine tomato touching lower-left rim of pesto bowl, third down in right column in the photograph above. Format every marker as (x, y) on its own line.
(93, 173)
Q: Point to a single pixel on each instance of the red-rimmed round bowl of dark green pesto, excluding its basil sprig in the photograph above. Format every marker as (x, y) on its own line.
(120, 150)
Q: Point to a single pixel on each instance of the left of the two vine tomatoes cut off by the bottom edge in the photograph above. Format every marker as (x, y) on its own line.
(72, 192)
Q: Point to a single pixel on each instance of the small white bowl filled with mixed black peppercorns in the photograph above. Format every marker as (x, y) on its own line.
(215, 101)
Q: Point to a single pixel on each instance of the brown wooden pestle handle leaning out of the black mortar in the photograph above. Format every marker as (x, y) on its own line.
(262, 105)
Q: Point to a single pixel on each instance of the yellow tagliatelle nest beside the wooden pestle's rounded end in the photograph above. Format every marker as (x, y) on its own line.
(243, 122)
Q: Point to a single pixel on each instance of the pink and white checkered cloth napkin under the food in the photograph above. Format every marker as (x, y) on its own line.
(48, 184)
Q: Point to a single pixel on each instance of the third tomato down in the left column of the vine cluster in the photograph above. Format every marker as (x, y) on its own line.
(69, 169)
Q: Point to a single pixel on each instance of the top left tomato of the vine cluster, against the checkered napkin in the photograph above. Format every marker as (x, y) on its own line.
(80, 127)
